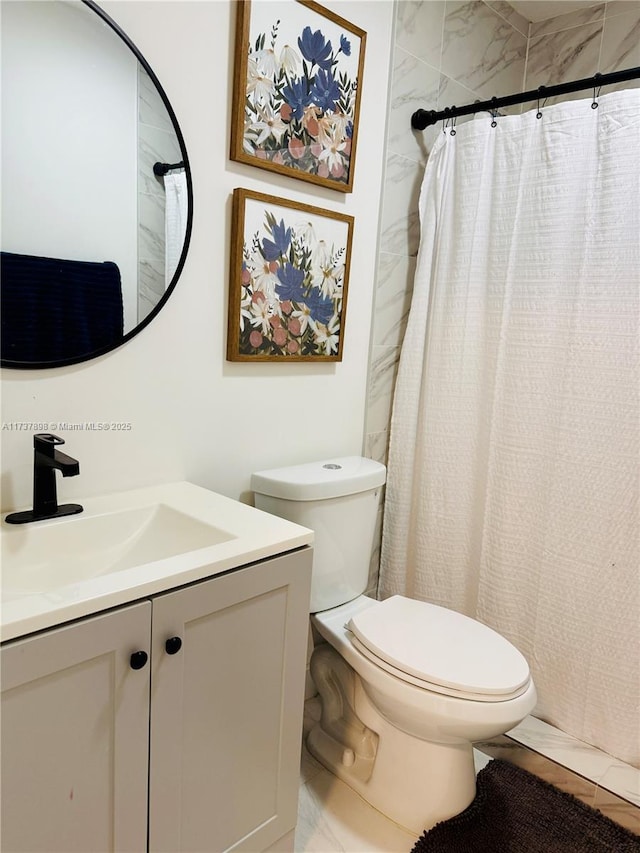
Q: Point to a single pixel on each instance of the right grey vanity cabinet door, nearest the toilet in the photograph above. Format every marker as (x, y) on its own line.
(226, 713)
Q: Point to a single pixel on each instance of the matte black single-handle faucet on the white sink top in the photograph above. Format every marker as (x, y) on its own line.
(46, 459)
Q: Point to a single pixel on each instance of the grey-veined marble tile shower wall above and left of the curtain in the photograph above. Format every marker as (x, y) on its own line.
(454, 52)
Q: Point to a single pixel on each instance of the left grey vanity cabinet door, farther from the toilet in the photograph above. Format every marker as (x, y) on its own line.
(75, 737)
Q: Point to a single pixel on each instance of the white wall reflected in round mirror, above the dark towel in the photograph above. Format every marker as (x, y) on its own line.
(69, 136)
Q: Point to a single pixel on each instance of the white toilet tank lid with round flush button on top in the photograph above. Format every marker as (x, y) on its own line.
(328, 478)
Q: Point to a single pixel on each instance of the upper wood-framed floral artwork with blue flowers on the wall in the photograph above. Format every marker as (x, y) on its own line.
(297, 84)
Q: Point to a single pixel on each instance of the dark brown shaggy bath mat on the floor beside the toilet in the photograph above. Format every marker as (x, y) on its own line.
(517, 812)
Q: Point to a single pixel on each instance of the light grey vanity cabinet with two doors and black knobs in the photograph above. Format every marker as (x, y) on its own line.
(207, 731)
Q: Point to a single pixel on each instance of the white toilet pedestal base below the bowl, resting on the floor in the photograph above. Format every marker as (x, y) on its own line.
(416, 783)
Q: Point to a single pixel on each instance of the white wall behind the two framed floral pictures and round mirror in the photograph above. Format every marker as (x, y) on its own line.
(194, 415)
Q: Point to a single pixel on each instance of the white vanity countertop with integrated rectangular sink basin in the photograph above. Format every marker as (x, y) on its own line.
(127, 546)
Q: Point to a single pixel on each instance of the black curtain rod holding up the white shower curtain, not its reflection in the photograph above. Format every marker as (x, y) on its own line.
(422, 119)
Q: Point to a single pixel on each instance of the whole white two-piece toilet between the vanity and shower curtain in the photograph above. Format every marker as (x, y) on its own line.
(406, 687)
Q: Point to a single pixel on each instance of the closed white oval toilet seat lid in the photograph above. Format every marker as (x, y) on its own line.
(441, 647)
